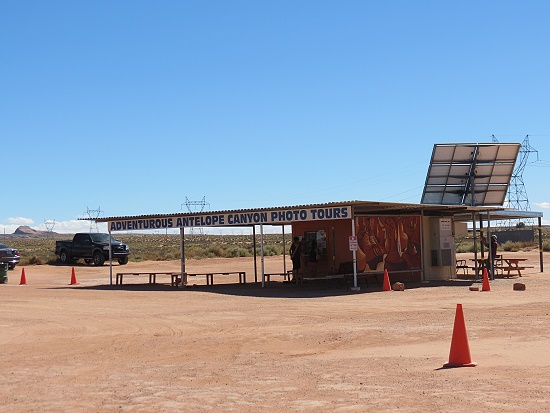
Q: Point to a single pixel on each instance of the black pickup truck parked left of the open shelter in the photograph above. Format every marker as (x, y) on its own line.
(92, 247)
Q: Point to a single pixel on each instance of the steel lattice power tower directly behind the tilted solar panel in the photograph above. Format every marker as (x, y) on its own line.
(517, 194)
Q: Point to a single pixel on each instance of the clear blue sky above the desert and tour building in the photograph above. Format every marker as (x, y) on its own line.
(132, 107)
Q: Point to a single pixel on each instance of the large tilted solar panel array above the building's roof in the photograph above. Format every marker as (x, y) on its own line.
(473, 174)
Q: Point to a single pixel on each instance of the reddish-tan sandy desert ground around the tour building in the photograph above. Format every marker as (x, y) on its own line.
(136, 347)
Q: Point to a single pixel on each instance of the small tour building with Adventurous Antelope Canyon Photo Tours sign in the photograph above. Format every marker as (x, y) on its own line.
(413, 242)
